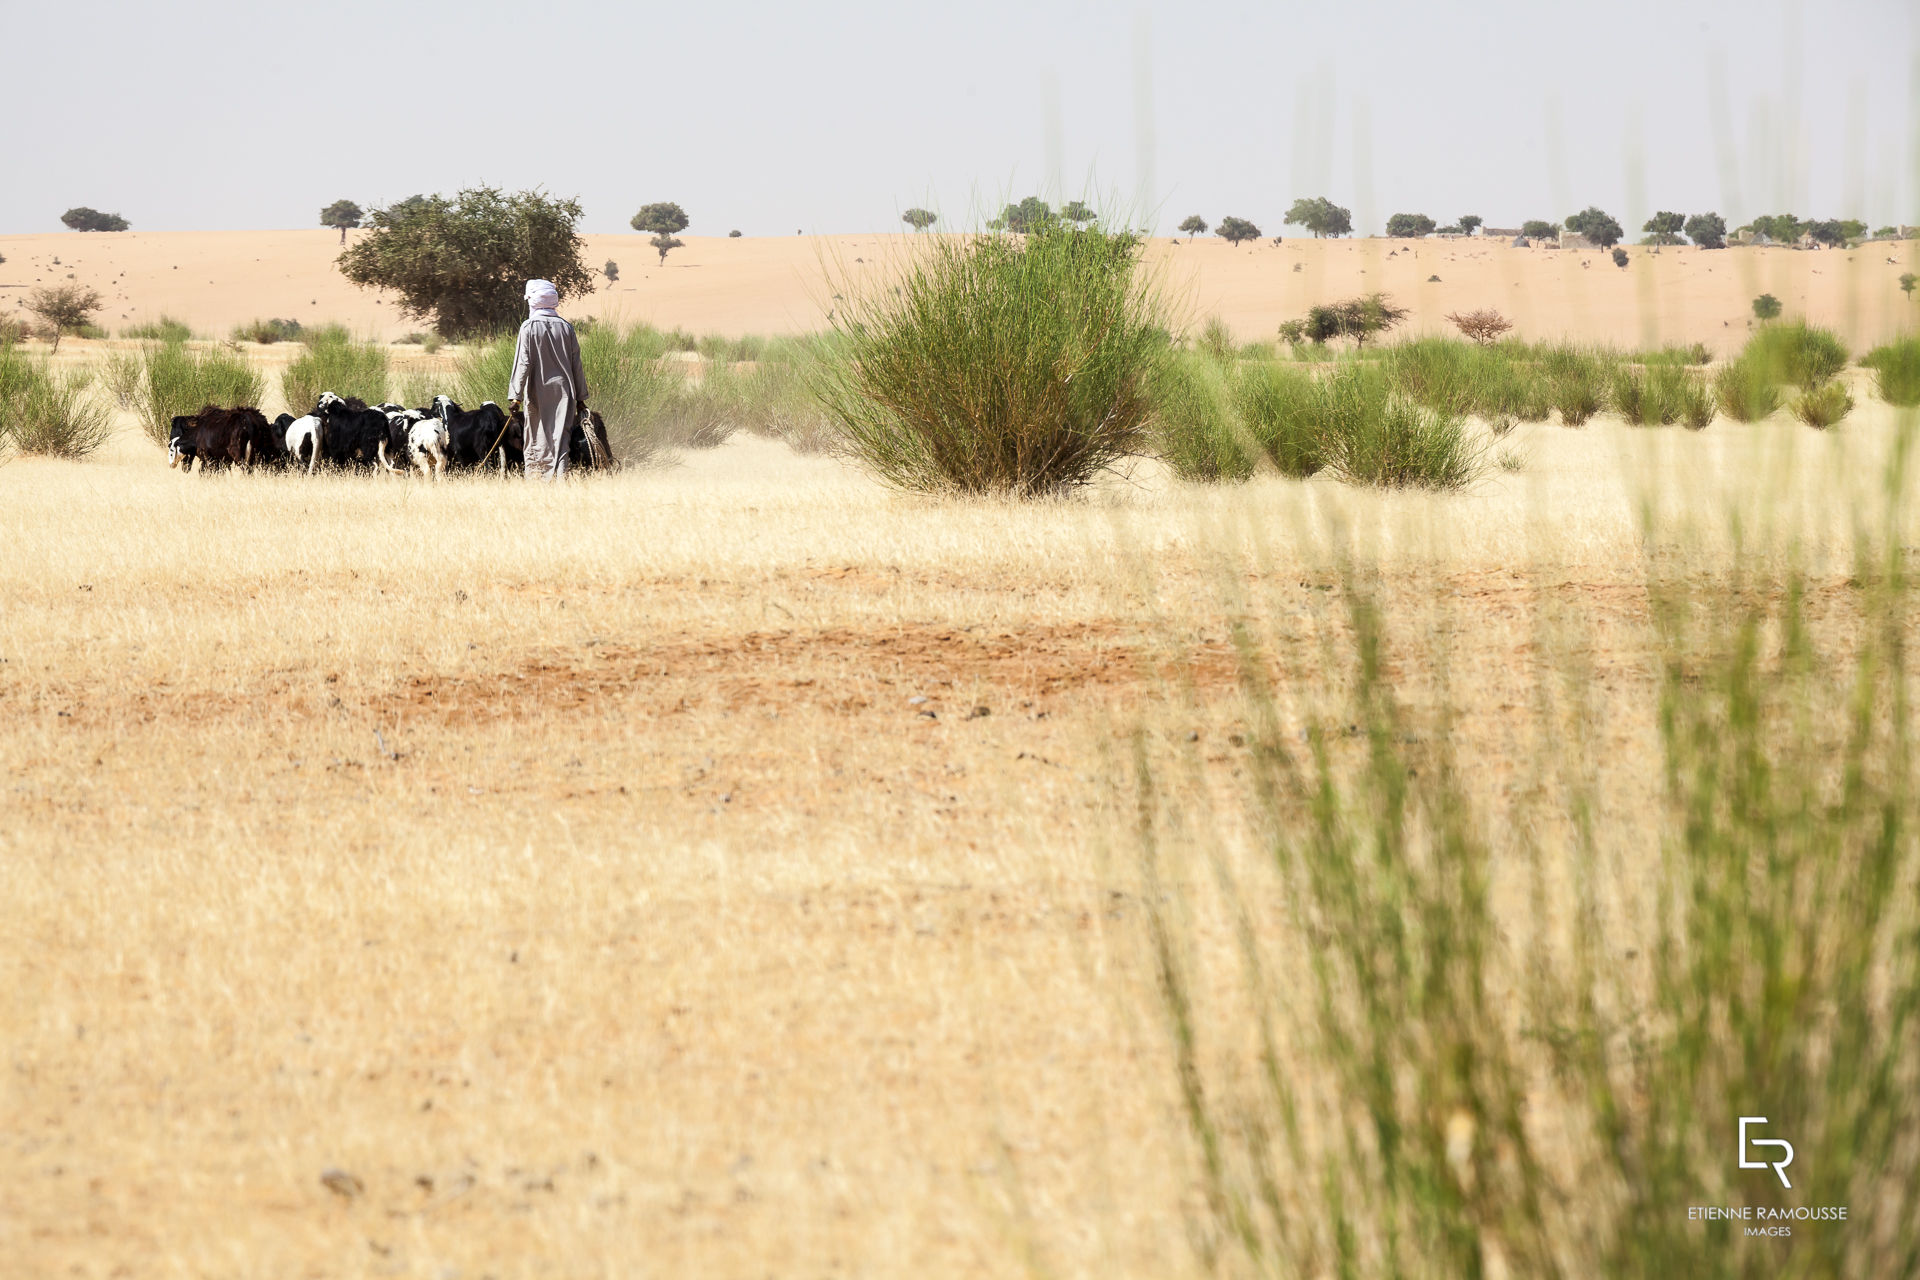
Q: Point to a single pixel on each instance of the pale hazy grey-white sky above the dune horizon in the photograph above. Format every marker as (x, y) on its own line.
(834, 116)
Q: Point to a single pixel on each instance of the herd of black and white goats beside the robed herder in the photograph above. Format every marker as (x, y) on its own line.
(352, 435)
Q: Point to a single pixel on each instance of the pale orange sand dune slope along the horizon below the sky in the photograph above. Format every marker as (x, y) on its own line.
(782, 285)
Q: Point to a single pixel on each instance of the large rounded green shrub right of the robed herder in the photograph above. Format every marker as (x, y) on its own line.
(997, 366)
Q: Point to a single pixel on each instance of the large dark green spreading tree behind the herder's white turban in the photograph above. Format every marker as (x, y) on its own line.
(466, 260)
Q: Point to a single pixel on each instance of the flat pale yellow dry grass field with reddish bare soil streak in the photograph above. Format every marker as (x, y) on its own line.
(723, 870)
